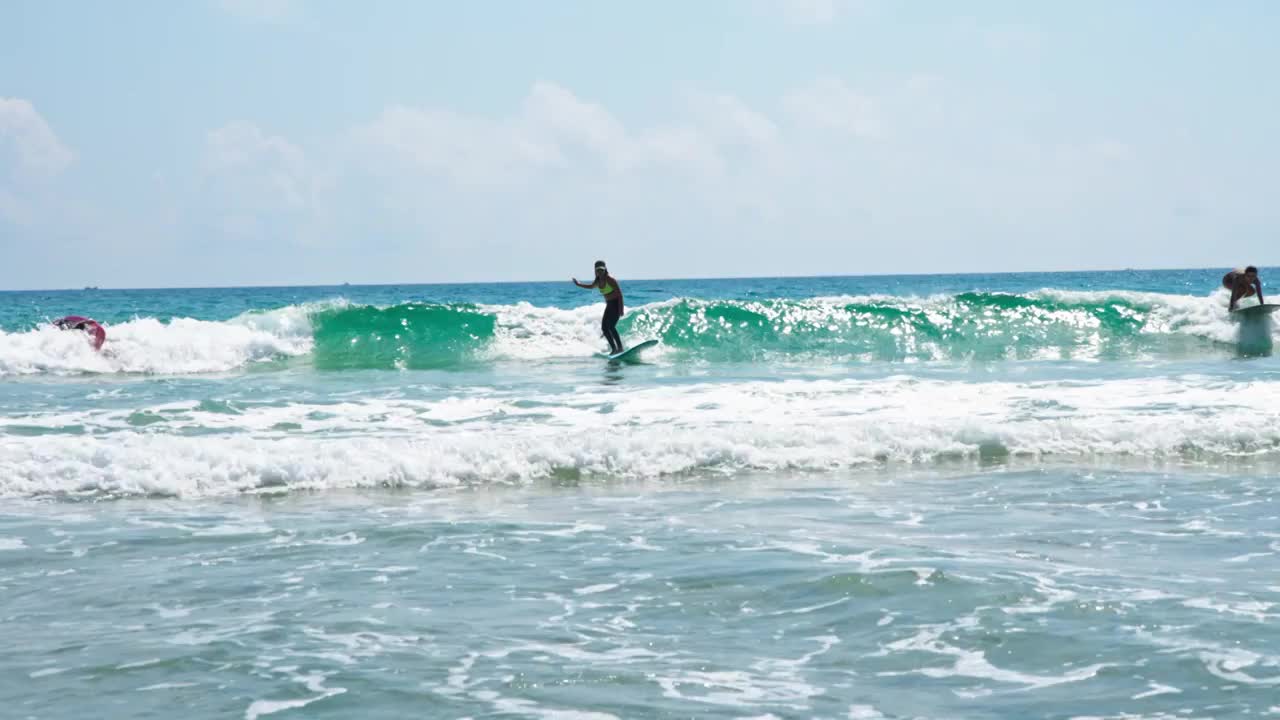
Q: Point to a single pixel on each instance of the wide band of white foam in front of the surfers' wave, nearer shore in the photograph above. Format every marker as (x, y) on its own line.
(710, 427)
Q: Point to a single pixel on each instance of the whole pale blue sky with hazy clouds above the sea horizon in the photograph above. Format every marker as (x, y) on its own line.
(227, 143)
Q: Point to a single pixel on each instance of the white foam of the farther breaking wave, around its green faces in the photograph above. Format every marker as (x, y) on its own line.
(528, 332)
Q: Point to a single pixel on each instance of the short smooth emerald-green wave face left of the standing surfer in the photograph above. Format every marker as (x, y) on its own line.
(410, 336)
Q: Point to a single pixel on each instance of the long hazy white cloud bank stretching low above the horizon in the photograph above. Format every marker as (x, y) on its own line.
(561, 174)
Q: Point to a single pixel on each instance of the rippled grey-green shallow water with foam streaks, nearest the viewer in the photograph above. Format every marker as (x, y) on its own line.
(996, 593)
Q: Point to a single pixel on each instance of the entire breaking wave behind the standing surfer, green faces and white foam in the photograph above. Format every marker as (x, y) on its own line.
(973, 326)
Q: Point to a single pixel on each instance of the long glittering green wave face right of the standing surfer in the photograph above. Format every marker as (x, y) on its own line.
(966, 327)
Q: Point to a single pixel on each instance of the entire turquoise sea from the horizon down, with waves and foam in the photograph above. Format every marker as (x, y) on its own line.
(970, 496)
